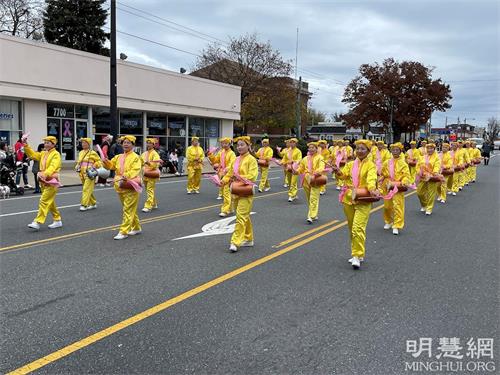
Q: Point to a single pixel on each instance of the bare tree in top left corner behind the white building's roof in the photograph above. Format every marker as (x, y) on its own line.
(22, 18)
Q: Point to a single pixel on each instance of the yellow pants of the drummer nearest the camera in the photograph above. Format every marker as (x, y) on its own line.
(357, 218)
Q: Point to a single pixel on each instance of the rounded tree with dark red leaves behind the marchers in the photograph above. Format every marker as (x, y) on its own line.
(402, 93)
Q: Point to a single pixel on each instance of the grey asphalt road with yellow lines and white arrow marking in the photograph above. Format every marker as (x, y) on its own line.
(291, 304)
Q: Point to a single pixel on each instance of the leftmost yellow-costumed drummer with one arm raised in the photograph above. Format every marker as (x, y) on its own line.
(50, 165)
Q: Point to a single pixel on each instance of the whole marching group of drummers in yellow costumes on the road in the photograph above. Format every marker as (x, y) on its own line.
(370, 173)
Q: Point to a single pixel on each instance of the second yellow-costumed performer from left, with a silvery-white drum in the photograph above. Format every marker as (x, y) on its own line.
(88, 160)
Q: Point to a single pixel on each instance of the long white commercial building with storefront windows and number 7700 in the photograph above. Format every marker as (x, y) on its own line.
(51, 90)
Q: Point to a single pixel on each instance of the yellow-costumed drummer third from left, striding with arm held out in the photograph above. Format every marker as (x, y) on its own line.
(128, 185)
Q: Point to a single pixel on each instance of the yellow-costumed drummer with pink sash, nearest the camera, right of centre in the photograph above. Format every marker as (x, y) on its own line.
(360, 173)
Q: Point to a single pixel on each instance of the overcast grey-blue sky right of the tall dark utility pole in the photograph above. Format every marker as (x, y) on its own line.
(460, 39)
